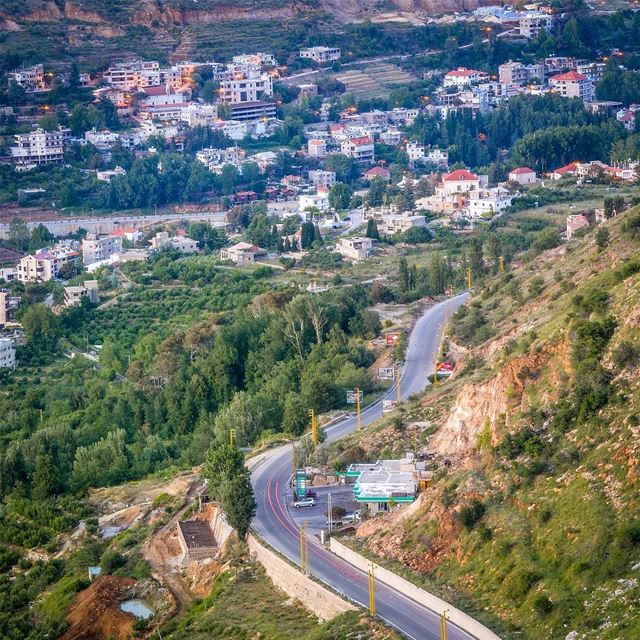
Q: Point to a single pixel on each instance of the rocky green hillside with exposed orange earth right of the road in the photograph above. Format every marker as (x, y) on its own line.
(535, 526)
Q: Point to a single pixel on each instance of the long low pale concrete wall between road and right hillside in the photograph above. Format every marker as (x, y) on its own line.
(457, 617)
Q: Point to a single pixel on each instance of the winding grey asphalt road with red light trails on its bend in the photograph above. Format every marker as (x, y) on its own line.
(275, 524)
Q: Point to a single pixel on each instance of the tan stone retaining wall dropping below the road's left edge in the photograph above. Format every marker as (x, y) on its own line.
(320, 601)
